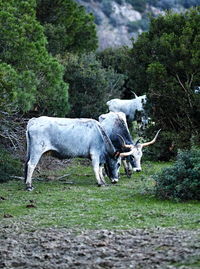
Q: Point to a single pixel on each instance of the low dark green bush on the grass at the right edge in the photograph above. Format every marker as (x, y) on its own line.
(182, 180)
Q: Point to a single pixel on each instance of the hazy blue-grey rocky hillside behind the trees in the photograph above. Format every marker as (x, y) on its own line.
(120, 20)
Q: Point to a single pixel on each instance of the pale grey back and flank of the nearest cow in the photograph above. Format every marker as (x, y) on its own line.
(69, 137)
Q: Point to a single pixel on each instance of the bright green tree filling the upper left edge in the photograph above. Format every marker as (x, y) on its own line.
(31, 79)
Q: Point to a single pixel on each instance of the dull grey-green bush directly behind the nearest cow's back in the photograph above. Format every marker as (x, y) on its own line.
(91, 85)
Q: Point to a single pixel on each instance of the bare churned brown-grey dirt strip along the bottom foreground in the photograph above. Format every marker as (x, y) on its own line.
(63, 248)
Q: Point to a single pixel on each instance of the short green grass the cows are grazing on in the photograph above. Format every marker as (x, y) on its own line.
(77, 202)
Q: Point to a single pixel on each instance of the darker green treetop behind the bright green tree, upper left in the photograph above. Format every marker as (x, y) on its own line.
(68, 27)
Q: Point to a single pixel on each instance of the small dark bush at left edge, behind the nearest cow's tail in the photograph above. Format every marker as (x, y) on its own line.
(9, 166)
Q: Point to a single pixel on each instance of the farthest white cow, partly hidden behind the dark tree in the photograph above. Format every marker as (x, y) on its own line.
(129, 107)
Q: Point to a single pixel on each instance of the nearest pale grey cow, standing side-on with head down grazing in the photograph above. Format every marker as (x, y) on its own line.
(71, 138)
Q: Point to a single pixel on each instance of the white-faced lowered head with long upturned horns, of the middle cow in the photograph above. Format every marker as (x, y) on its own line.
(135, 153)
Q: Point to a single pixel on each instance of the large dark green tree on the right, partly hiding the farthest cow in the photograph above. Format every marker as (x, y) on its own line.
(165, 64)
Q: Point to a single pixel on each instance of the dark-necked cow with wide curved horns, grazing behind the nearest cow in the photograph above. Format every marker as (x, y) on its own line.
(116, 128)
